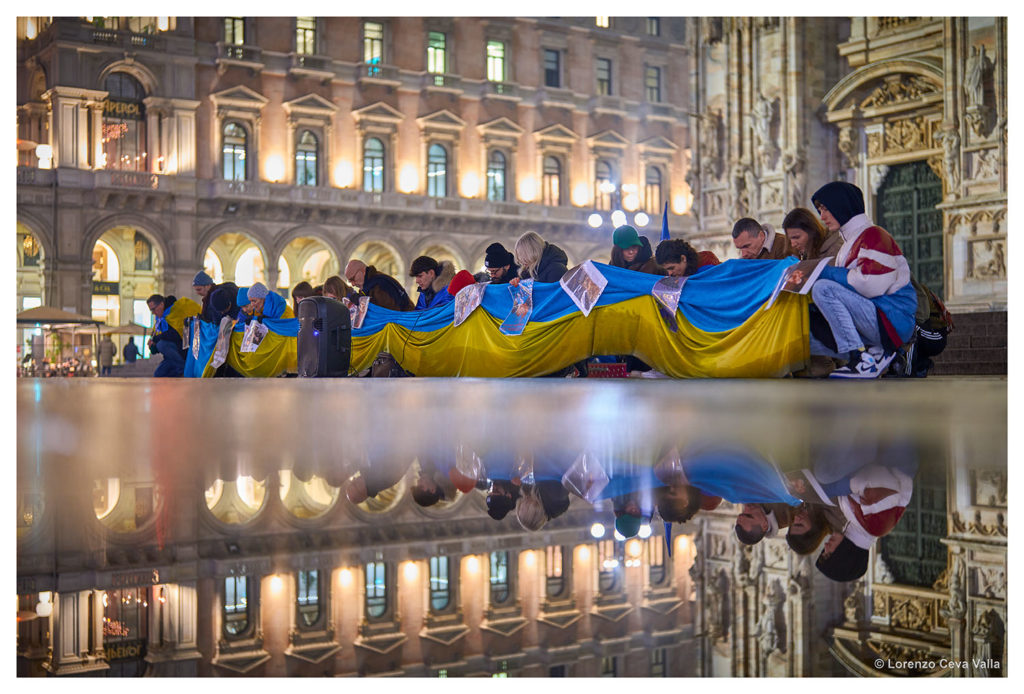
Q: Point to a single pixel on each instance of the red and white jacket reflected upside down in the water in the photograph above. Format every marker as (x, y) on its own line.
(879, 499)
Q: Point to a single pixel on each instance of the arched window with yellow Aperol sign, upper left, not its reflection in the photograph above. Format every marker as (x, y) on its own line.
(124, 124)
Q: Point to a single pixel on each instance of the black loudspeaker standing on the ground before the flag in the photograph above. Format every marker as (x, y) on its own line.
(325, 342)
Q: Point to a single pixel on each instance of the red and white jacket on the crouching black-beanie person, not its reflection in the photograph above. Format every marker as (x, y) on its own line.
(875, 264)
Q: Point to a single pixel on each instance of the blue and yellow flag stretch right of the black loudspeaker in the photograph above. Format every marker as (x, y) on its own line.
(723, 332)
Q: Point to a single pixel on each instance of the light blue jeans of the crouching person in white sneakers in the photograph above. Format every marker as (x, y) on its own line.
(854, 319)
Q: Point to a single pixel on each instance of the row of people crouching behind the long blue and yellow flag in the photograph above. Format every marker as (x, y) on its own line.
(866, 309)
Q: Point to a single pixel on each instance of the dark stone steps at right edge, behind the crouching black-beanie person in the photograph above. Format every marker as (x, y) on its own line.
(977, 346)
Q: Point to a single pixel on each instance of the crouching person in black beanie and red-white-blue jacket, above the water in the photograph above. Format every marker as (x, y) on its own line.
(866, 297)
